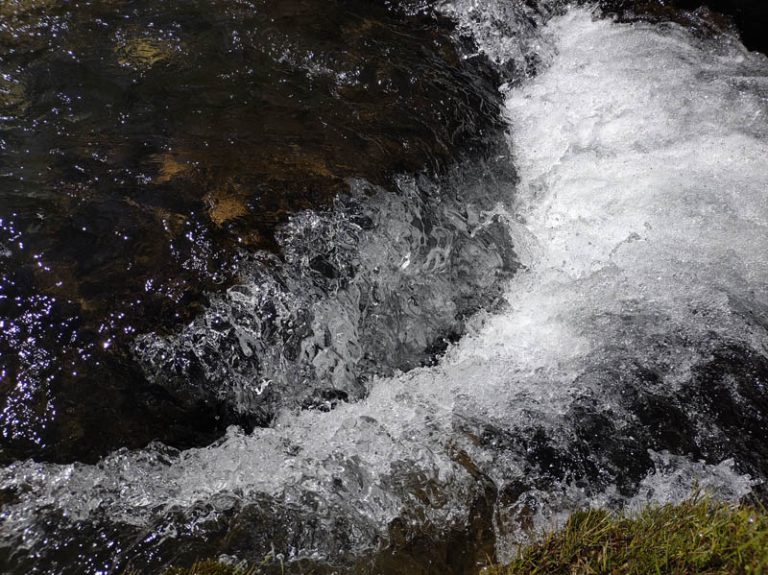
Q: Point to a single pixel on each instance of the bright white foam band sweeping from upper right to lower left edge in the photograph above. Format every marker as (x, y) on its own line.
(641, 217)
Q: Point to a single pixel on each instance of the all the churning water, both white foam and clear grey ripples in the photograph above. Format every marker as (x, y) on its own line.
(626, 362)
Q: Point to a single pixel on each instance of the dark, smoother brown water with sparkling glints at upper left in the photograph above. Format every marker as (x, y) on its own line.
(145, 146)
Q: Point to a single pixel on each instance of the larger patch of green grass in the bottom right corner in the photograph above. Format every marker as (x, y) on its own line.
(698, 537)
